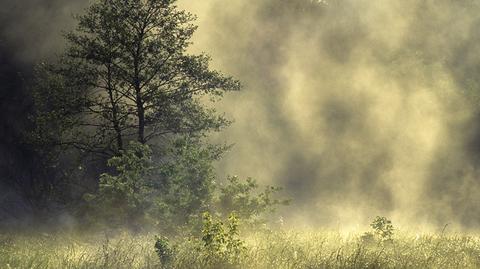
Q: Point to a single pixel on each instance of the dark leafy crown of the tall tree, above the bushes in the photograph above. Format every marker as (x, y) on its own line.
(126, 74)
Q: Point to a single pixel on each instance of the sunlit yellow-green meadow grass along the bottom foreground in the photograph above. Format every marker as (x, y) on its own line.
(280, 249)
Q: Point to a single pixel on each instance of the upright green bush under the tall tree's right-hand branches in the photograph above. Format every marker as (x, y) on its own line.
(185, 181)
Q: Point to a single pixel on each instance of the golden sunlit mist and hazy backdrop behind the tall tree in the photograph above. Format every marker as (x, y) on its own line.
(357, 108)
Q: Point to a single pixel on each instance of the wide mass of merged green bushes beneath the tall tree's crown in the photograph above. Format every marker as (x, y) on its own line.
(168, 192)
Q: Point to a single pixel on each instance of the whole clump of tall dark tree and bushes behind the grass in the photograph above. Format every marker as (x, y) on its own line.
(118, 126)
